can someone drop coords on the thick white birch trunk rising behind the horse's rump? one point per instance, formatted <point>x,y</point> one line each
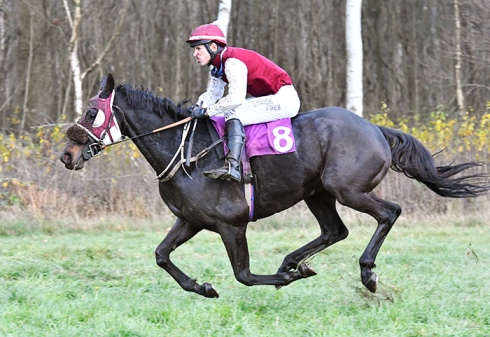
<point>353,39</point>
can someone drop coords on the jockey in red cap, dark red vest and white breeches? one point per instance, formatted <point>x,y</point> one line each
<point>270,89</point>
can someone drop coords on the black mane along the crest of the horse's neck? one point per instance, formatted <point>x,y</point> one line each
<point>145,98</point>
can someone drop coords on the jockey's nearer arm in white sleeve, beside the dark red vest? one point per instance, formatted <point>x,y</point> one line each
<point>236,73</point>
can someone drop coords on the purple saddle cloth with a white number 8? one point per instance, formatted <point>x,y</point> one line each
<point>274,137</point>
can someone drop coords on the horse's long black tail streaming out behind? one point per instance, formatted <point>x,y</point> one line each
<point>411,158</point>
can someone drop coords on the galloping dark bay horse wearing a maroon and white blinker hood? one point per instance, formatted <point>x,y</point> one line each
<point>340,157</point>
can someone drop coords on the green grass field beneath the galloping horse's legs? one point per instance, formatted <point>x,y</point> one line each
<point>434,281</point>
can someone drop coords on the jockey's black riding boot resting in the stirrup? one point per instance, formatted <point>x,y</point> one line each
<point>235,141</point>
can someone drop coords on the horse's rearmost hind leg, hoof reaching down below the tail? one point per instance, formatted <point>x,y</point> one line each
<point>385,213</point>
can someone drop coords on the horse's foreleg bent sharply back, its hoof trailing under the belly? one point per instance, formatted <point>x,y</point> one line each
<point>235,241</point>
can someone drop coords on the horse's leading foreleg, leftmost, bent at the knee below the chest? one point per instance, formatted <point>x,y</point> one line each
<point>181,232</point>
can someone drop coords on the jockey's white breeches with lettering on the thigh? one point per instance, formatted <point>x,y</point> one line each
<point>284,104</point>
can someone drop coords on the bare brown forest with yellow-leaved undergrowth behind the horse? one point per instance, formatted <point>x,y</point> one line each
<point>410,50</point>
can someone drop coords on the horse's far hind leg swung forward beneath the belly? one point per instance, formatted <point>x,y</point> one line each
<point>322,205</point>
